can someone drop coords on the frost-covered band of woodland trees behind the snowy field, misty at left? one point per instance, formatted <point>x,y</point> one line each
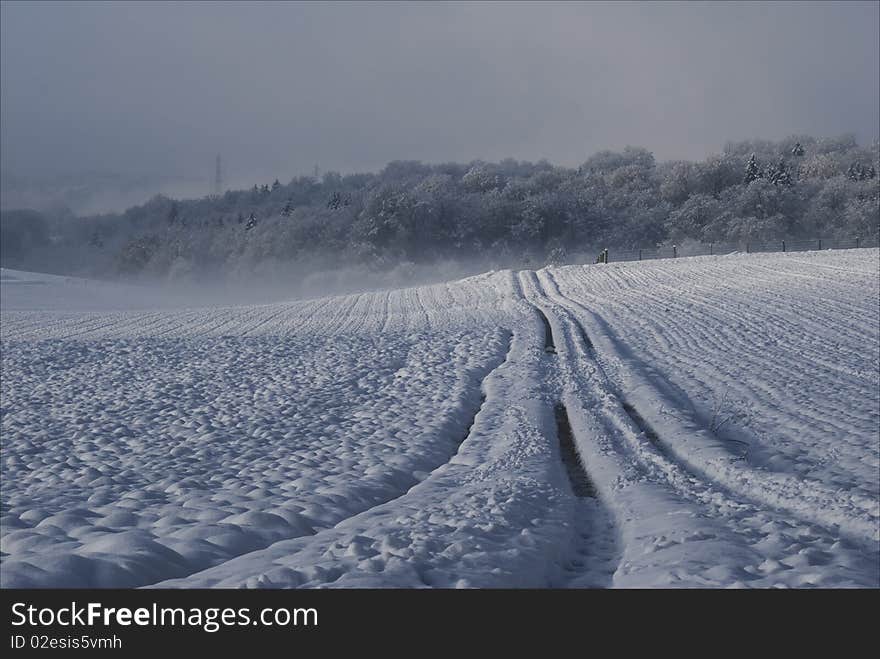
<point>501,213</point>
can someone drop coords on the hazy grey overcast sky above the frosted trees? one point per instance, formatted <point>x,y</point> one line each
<point>161,88</point>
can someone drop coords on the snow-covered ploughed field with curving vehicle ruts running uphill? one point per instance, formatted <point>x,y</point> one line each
<point>725,411</point>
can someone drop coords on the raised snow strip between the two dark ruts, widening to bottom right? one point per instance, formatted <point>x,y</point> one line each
<point>759,544</point>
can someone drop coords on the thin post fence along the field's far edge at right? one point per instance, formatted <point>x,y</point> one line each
<point>709,249</point>
